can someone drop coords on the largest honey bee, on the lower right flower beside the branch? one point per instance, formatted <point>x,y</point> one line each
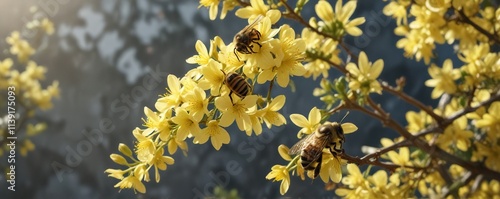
<point>328,135</point>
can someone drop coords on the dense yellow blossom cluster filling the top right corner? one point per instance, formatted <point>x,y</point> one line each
<point>426,23</point>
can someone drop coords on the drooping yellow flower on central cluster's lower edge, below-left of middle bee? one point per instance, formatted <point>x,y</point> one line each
<point>217,135</point>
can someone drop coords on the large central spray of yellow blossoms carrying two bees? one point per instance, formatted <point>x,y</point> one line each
<point>203,103</point>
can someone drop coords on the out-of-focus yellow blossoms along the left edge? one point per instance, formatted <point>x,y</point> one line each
<point>23,77</point>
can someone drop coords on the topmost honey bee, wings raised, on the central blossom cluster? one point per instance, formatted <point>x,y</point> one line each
<point>246,37</point>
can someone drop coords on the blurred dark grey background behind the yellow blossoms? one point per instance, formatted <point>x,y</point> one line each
<point>111,58</point>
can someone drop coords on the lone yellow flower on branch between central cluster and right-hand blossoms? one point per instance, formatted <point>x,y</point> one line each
<point>364,78</point>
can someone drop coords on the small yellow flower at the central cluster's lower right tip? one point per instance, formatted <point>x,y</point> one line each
<point>270,113</point>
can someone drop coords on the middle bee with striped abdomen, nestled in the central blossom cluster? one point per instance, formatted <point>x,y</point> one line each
<point>237,84</point>
